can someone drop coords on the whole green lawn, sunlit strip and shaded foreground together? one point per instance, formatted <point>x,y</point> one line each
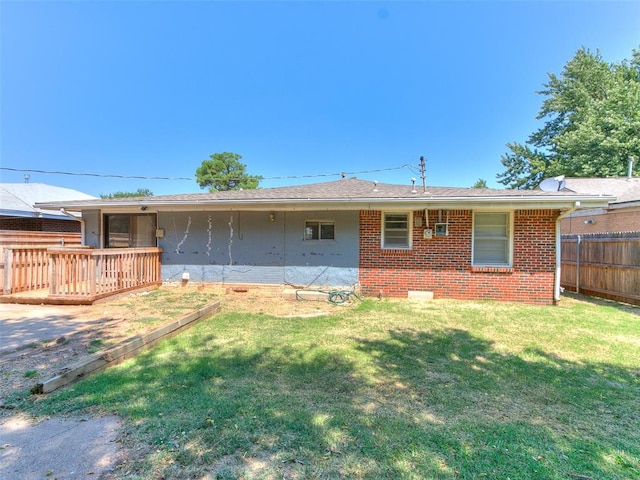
<point>438,390</point>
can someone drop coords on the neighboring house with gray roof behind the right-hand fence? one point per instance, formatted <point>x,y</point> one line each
<point>621,215</point>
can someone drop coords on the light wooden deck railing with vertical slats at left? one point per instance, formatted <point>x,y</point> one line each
<point>80,273</point>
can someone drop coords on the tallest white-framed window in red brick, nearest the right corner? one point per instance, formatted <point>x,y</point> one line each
<point>492,239</point>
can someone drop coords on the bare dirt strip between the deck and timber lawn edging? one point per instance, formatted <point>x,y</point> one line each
<point>132,315</point>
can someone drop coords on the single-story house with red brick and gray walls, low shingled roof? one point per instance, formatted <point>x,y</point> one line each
<point>393,240</point>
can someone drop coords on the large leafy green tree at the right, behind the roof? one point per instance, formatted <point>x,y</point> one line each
<point>592,124</point>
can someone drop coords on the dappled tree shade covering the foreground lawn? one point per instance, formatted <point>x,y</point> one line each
<point>414,404</point>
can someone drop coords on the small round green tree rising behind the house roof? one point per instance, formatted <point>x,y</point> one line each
<point>224,171</point>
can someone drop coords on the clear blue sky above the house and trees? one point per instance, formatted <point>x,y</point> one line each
<point>301,90</point>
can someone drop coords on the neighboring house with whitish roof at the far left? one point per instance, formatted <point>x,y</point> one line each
<point>17,210</point>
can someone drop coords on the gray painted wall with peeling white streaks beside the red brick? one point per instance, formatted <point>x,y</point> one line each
<point>246,247</point>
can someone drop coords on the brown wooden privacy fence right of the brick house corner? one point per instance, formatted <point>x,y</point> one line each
<point>604,265</point>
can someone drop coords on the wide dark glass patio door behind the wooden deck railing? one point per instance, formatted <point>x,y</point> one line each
<point>126,231</point>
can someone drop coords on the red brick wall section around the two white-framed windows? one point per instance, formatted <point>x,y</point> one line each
<point>442,265</point>
